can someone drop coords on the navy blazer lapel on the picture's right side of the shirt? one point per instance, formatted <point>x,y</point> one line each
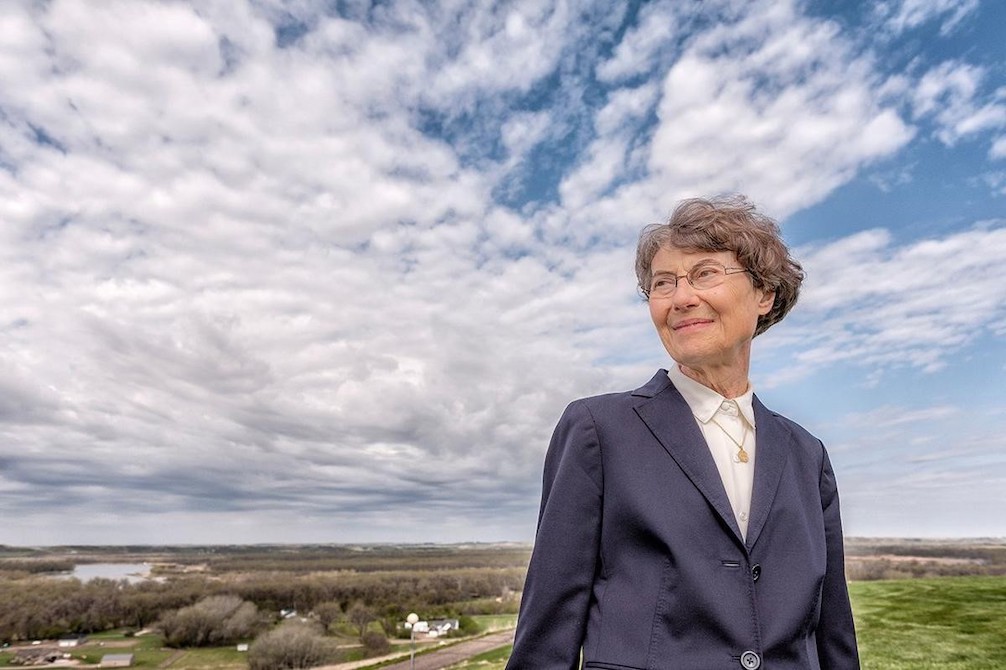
<point>771,453</point>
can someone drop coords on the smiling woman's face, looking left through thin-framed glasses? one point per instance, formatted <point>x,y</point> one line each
<point>713,328</point>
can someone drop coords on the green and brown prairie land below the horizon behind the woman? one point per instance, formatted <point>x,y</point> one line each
<point>919,603</point>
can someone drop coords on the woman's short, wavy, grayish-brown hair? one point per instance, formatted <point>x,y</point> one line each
<point>728,224</point>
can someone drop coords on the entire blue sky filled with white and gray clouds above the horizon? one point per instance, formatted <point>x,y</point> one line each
<point>329,272</point>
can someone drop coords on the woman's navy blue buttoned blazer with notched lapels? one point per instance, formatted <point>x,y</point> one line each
<point>638,562</point>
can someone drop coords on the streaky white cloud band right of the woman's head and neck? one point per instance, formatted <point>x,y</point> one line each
<point>872,304</point>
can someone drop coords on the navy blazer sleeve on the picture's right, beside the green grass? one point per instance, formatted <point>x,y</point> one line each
<point>836,634</point>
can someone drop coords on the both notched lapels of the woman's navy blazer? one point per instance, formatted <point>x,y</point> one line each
<point>670,421</point>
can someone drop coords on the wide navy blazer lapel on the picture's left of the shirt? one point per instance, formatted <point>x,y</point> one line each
<point>670,420</point>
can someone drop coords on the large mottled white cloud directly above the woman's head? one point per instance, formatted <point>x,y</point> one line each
<point>774,104</point>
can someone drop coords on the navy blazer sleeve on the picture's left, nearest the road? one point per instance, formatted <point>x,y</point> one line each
<point>561,576</point>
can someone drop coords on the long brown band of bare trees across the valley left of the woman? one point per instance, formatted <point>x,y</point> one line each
<point>38,608</point>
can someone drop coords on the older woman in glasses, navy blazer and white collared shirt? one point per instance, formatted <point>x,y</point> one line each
<point>684,526</point>
